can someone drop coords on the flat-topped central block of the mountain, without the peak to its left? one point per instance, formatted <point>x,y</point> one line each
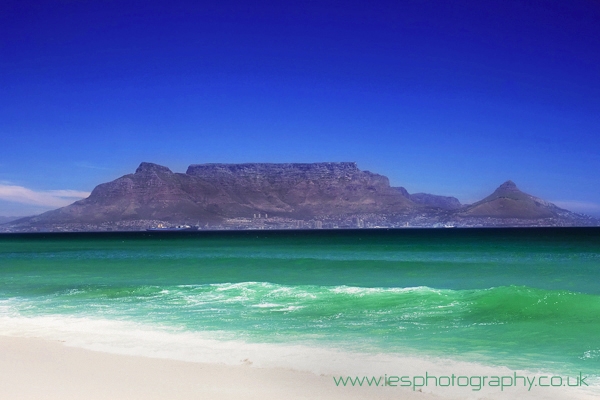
<point>300,190</point>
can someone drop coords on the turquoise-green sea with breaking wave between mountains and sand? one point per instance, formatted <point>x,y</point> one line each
<point>520,298</point>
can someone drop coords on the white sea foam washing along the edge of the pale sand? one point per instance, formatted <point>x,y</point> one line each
<point>129,338</point>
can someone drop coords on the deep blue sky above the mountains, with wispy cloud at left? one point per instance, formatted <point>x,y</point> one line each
<point>443,97</point>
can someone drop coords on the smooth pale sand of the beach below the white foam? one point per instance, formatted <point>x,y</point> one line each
<point>40,368</point>
